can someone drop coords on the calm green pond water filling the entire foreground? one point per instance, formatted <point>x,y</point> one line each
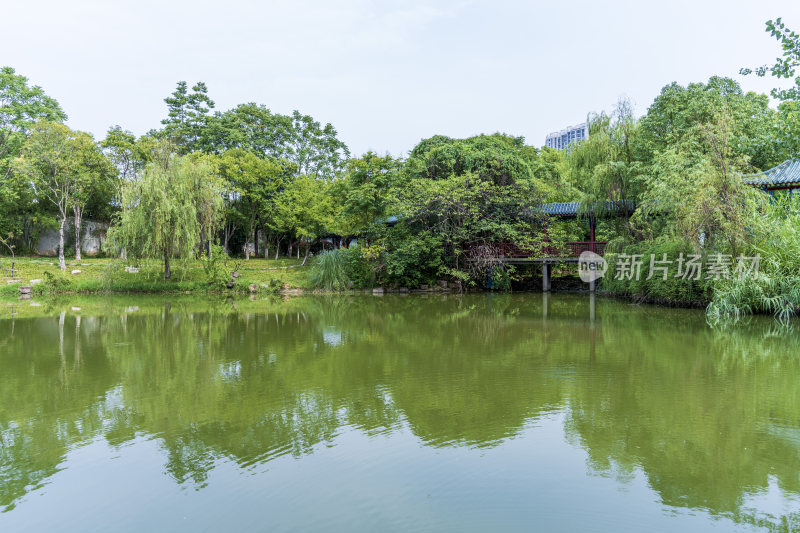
<point>475,413</point>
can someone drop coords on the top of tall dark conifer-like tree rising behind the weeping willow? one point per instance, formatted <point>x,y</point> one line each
<point>187,116</point>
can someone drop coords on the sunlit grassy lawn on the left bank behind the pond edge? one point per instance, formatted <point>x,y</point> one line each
<point>107,275</point>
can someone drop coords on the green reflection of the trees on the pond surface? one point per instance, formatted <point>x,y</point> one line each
<point>710,416</point>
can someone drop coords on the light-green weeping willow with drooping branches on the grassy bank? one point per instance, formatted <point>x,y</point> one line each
<point>166,213</point>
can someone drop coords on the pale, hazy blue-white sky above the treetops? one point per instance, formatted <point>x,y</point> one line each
<point>385,74</point>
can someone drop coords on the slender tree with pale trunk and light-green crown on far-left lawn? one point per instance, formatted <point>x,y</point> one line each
<point>59,163</point>
